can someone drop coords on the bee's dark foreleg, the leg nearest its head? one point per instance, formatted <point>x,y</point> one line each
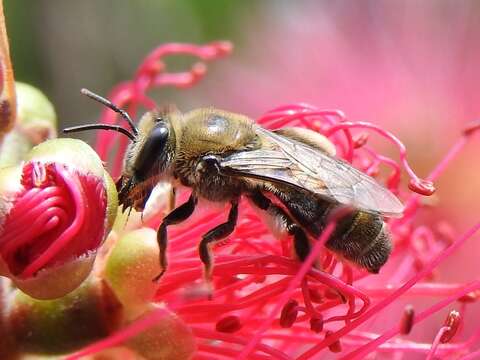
<point>176,216</point>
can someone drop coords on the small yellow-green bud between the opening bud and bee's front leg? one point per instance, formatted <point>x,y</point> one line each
<point>131,266</point>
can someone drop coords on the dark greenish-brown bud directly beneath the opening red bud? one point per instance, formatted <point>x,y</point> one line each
<point>89,313</point>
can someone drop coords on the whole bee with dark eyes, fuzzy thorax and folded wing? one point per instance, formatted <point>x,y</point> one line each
<point>290,173</point>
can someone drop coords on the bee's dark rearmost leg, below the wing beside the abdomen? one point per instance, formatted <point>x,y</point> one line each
<point>301,243</point>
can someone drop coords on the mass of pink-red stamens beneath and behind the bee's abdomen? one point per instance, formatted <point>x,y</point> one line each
<point>266,303</point>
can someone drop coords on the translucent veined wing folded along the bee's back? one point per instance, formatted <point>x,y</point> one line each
<point>291,162</point>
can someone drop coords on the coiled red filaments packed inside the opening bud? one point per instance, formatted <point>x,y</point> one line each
<point>63,228</point>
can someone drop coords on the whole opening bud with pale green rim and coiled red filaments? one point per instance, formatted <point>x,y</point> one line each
<point>56,209</point>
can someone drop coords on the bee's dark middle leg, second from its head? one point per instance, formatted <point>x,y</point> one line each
<point>217,233</point>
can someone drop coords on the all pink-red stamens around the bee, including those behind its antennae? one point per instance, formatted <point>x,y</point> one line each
<point>253,281</point>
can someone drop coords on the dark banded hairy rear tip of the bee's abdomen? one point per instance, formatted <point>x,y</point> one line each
<point>363,239</point>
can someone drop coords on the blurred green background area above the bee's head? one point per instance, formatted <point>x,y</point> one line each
<point>62,46</point>
